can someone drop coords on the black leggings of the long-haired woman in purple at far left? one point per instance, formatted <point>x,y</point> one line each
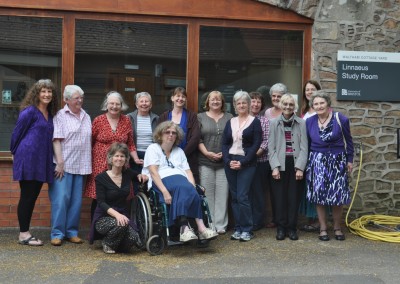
<point>30,190</point>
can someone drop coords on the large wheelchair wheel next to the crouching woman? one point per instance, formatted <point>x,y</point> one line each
<point>141,212</point>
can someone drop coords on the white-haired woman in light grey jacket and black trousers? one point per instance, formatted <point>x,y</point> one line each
<point>287,148</point>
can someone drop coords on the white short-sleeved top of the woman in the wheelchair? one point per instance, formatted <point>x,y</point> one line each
<point>155,156</point>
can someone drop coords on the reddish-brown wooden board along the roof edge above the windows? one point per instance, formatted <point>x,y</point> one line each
<point>217,9</point>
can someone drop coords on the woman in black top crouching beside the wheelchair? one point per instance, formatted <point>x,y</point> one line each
<point>110,221</point>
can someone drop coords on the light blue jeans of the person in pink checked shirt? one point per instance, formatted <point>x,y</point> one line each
<point>66,200</point>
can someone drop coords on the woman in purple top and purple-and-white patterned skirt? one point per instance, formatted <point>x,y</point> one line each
<point>330,161</point>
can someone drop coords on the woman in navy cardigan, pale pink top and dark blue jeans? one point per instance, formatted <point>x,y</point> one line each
<point>240,143</point>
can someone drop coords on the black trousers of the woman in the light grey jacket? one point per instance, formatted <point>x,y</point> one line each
<point>287,192</point>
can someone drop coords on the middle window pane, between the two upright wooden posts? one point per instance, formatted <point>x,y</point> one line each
<point>129,58</point>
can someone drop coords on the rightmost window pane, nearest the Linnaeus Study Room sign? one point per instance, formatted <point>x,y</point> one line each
<point>234,59</point>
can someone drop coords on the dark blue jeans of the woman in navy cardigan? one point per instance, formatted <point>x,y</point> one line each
<point>239,187</point>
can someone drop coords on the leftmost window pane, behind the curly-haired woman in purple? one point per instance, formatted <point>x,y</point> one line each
<point>30,49</point>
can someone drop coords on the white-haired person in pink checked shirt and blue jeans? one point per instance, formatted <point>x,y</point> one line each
<point>72,156</point>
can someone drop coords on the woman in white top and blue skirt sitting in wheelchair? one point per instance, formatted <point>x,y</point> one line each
<point>170,175</point>
